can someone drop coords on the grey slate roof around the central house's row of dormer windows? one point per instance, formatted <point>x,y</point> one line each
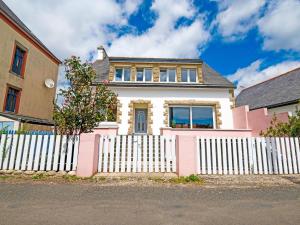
<point>211,77</point>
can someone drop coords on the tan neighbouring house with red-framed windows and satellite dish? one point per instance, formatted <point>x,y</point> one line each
<point>28,74</point>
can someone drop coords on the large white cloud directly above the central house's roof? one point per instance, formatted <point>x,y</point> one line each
<point>164,39</point>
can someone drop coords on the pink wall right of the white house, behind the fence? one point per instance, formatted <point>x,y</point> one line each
<point>257,120</point>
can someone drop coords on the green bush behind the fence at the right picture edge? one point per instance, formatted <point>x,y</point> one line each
<point>281,129</point>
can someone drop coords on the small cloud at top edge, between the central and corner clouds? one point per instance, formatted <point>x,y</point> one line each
<point>237,17</point>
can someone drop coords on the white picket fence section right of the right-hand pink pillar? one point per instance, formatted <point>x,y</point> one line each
<point>248,155</point>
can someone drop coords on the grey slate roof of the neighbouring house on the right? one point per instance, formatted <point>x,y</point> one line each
<point>281,90</point>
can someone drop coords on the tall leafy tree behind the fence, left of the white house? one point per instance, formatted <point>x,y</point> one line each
<point>85,103</point>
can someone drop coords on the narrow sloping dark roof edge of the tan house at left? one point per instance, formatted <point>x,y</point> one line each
<point>13,17</point>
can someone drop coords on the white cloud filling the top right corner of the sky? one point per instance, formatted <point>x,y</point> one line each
<point>280,26</point>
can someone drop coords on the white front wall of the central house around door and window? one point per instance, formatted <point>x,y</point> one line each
<point>158,95</point>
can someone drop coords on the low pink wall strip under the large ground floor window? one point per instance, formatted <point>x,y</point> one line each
<point>207,132</point>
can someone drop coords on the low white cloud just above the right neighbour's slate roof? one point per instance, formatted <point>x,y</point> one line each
<point>253,73</point>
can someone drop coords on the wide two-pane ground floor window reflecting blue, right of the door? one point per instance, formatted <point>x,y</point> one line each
<point>191,117</point>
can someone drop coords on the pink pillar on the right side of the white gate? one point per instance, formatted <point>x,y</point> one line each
<point>186,153</point>
